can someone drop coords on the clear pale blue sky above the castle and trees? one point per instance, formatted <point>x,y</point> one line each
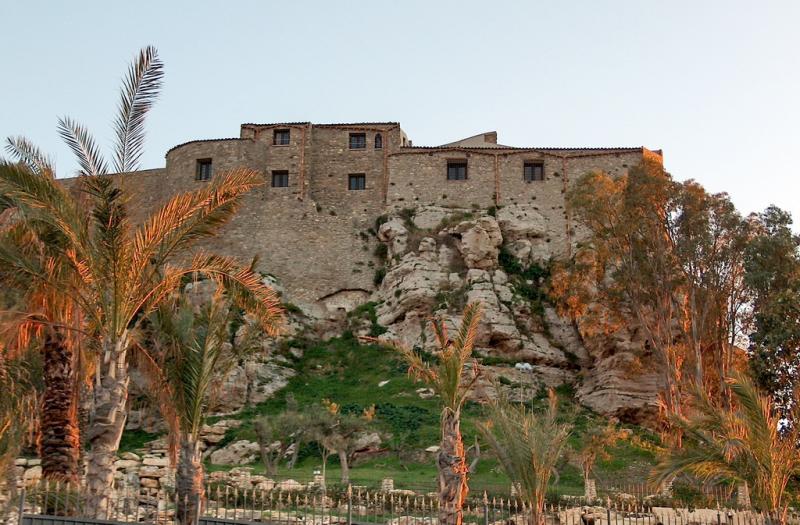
<point>715,84</point>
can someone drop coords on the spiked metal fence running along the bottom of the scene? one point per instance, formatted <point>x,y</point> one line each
<point>60,504</point>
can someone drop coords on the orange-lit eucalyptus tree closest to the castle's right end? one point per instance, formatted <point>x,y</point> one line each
<point>625,274</point>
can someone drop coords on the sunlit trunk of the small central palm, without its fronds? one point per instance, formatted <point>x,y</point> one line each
<point>452,466</point>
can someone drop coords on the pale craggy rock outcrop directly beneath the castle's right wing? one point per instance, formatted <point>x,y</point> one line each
<point>440,259</point>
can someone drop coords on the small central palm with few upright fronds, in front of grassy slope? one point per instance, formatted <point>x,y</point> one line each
<point>448,380</point>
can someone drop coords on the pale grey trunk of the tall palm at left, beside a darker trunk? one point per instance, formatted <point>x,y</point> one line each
<point>111,396</point>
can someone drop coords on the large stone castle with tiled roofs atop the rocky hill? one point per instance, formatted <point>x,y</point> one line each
<point>325,185</point>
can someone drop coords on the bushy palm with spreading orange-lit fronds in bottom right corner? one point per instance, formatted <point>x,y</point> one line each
<point>747,442</point>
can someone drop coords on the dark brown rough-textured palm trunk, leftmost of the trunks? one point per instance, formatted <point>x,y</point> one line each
<point>60,441</point>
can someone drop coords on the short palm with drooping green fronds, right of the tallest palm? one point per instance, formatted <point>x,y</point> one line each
<point>194,347</point>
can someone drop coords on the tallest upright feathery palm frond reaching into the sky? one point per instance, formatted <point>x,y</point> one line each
<point>140,89</point>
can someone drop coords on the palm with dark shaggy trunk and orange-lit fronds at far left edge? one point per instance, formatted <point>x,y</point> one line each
<point>45,318</point>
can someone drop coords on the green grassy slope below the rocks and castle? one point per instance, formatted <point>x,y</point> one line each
<point>348,373</point>
